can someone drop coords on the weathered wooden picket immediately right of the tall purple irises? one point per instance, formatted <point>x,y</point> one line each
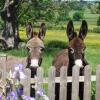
<point>26,82</point>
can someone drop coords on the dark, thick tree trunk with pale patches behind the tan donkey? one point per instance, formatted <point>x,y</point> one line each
<point>9,15</point>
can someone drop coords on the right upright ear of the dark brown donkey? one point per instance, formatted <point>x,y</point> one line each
<point>83,30</point>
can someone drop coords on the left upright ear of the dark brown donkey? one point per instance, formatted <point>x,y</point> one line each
<point>70,30</point>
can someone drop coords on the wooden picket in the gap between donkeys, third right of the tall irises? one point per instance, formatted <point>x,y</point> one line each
<point>51,83</point>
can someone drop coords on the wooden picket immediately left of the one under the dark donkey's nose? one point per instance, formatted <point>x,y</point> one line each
<point>63,83</point>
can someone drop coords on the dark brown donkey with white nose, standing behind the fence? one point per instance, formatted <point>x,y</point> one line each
<point>74,55</point>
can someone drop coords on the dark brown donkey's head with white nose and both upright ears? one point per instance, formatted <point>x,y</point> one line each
<point>76,46</point>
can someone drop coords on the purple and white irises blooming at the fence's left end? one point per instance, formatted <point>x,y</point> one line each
<point>14,90</point>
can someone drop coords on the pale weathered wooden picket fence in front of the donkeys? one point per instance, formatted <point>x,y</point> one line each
<point>39,80</point>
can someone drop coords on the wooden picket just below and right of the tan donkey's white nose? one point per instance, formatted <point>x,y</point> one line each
<point>39,81</point>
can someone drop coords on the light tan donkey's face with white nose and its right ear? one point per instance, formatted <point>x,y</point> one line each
<point>35,47</point>
